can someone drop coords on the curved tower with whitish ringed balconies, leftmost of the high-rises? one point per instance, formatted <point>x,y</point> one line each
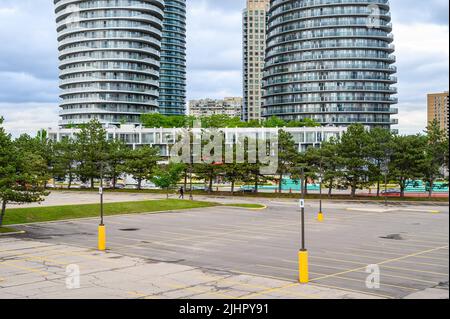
<point>109,53</point>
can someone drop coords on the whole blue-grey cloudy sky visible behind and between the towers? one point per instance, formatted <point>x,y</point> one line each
<point>29,74</point>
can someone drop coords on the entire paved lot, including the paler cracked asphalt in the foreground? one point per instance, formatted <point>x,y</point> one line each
<point>226,252</point>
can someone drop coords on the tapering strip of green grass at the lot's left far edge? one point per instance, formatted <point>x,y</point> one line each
<point>56,213</point>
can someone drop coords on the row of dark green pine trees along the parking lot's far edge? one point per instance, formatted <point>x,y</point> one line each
<point>360,158</point>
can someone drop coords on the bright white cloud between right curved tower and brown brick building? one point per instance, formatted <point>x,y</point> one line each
<point>422,60</point>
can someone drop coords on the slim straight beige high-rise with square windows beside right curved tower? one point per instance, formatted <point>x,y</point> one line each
<point>254,47</point>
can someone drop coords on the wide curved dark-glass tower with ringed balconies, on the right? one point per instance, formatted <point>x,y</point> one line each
<point>330,60</point>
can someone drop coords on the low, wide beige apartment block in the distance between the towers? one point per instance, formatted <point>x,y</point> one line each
<point>230,106</point>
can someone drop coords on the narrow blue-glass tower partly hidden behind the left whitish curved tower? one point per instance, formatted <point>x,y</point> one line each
<point>172,100</point>
